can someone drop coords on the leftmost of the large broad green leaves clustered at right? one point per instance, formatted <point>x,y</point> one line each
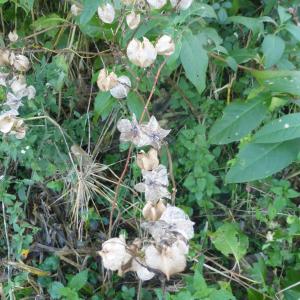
<point>238,120</point>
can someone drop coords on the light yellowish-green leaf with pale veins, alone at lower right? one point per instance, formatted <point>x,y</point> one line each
<point>230,240</point>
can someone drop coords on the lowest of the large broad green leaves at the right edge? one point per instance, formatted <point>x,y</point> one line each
<point>257,161</point>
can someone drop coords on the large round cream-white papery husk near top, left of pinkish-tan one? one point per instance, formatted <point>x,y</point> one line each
<point>142,54</point>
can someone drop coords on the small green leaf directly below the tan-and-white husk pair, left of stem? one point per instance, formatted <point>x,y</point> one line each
<point>104,104</point>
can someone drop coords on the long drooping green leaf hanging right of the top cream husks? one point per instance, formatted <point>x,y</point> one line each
<point>194,61</point>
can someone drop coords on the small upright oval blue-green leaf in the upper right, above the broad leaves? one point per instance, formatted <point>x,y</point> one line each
<point>273,47</point>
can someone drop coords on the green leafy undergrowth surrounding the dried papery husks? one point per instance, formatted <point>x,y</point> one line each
<point>230,94</point>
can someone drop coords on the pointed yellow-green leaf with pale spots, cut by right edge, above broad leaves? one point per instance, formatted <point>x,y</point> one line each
<point>279,81</point>
